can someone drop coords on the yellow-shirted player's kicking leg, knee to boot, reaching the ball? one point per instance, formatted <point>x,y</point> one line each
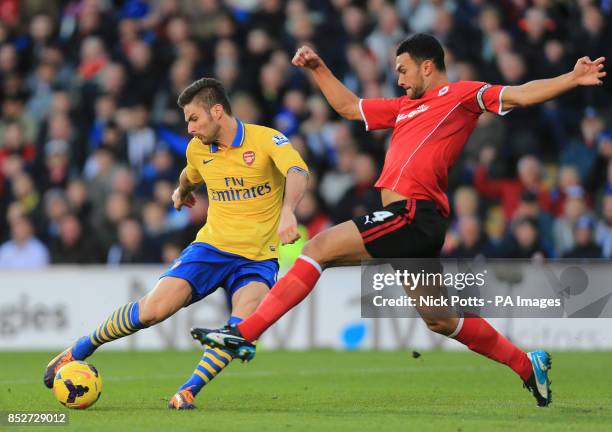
<point>169,295</point>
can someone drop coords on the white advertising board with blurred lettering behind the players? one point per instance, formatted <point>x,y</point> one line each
<point>48,309</point>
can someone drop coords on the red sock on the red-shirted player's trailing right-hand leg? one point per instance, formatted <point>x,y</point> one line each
<point>479,336</point>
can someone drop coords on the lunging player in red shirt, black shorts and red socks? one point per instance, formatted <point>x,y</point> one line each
<point>431,124</point>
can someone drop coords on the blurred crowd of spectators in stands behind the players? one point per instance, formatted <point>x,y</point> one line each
<point>92,141</point>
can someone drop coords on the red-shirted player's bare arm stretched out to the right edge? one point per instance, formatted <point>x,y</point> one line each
<point>587,72</point>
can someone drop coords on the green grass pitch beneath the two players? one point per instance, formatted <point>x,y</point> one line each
<point>324,391</point>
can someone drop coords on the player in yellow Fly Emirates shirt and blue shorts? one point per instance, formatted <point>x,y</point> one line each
<point>254,179</point>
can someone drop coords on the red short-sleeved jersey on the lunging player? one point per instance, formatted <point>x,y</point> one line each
<point>428,135</point>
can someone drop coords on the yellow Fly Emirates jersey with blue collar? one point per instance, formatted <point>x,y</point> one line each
<point>246,185</point>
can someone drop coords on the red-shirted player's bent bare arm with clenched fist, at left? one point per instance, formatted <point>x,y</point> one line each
<point>342,100</point>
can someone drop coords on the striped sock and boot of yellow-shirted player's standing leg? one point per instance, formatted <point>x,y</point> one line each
<point>213,361</point>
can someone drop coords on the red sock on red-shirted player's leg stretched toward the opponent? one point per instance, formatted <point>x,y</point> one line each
<point>284,295</point>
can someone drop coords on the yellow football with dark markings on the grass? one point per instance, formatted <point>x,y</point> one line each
<point>77,385</point>
